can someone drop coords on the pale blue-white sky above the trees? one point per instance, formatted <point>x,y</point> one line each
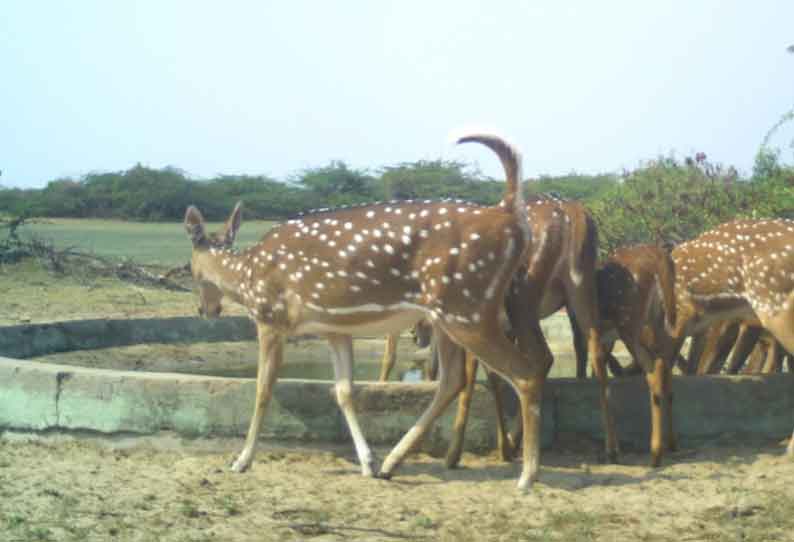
<point>275,87</point>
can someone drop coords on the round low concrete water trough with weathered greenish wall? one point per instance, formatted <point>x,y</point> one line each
<point>37,396</point>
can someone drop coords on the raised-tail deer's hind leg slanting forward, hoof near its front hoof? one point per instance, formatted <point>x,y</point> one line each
<point>451,381</point>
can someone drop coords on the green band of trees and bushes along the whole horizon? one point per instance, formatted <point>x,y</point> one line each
<point>662,200</point>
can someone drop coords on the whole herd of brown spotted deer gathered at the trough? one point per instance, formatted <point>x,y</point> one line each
<point>480,279</point>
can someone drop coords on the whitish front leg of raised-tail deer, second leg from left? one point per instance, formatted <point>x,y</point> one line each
<point>342,349</point>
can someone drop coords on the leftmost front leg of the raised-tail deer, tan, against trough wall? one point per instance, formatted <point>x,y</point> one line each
<point>271,348</point>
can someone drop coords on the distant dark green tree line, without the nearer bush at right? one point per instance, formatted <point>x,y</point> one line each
<point>147,194</point>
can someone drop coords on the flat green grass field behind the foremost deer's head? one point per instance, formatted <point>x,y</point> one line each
<point>151,243</point>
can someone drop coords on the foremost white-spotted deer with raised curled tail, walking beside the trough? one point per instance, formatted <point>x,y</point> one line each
<point>378,269</point>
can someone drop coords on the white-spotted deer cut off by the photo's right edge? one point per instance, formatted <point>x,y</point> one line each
<point>740,270</point>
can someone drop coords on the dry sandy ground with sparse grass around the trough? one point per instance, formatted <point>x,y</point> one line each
<point>83,487</point>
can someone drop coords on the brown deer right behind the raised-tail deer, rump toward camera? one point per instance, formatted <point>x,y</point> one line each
<point>559,272</point>
